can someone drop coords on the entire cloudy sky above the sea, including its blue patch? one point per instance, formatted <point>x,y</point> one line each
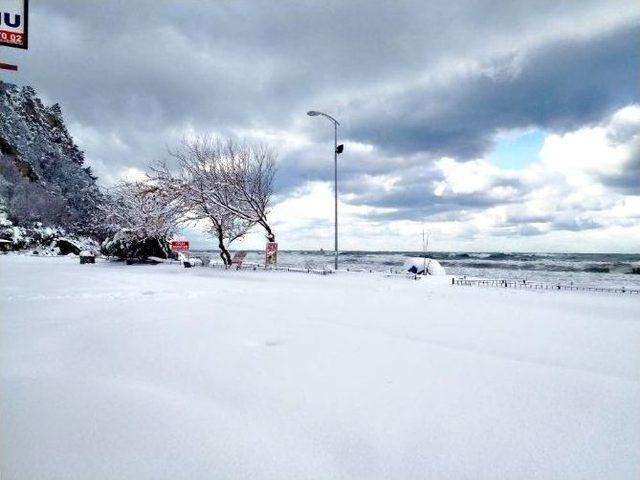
<point>494,125</point>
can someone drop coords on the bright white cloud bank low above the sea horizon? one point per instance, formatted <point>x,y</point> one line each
<point>559,203</point>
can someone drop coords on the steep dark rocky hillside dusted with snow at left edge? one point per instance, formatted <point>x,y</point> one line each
<point>42,174</point>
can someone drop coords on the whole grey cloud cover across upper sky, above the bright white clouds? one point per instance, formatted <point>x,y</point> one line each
<point>134,76</point>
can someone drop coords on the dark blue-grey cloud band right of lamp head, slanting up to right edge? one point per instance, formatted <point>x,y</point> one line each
<point>561,86</point>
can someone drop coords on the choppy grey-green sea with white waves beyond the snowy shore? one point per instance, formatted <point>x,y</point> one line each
<point>595,269</point>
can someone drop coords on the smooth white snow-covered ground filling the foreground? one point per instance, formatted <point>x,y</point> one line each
<point>159,372</point>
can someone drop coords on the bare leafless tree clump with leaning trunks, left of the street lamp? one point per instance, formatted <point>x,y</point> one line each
<point>226,183</point>
